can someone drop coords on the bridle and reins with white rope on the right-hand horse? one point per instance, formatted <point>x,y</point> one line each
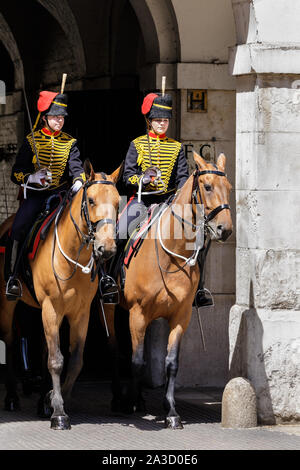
<point>197,200</point>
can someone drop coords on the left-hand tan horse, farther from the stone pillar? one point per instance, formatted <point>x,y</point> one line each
<point>82,236</point>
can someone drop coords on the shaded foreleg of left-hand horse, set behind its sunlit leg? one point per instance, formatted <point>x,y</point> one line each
<point>78,332</point>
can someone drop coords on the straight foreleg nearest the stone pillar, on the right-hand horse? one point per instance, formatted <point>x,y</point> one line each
<point>173,420</point>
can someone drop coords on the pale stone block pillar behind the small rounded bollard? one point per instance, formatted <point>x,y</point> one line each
<point>264,327</point>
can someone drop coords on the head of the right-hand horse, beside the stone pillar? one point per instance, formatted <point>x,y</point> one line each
<point>214,194</point>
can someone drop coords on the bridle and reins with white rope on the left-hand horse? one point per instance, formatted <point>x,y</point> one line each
<point>86,239</point>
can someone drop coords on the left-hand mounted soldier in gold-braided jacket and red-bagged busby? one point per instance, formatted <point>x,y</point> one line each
<point>56,166</point>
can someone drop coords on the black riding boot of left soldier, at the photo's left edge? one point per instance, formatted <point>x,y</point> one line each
<point>13,285</point>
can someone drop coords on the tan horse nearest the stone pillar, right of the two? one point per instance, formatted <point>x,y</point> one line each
<point>162,278</point>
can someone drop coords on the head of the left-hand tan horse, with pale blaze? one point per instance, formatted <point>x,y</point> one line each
<point>101,201</point>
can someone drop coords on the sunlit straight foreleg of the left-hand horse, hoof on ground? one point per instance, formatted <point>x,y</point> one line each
<point>51,322</point>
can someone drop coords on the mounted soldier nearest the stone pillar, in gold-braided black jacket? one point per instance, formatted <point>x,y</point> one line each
<point>155,164</point>
